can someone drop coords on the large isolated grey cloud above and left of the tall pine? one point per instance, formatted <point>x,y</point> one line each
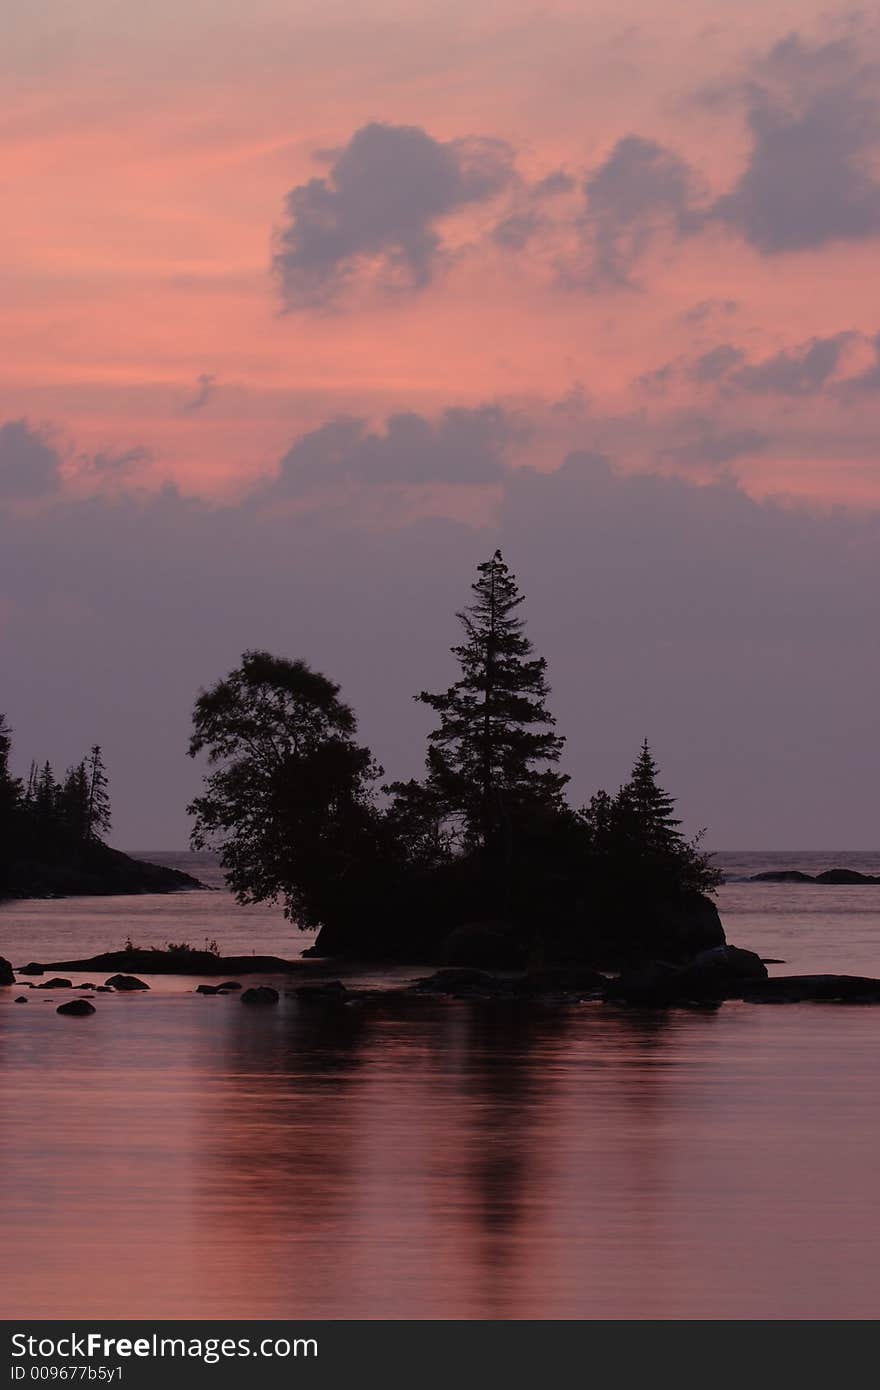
<point>379,208</point>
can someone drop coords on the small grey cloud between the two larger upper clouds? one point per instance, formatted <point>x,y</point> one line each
<point>640,191</point>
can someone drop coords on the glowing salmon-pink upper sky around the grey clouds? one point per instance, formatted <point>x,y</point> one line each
<point>149,158</point>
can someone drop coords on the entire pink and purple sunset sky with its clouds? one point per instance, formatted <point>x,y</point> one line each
<point>308,308</point>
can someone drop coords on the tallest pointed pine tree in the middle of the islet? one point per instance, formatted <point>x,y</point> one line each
<point>487,761</point>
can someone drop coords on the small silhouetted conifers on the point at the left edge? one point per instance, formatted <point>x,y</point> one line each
<point>44,817</point>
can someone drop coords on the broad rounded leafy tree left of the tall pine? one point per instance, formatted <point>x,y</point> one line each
<point>290,800</point>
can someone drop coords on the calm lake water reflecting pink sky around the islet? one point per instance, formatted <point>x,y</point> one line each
<point>187,1157</point>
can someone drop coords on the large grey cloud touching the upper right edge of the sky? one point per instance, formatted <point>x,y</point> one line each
<point>814,117</point>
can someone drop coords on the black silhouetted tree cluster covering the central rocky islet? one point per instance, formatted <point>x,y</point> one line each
<point>300,811</point>
